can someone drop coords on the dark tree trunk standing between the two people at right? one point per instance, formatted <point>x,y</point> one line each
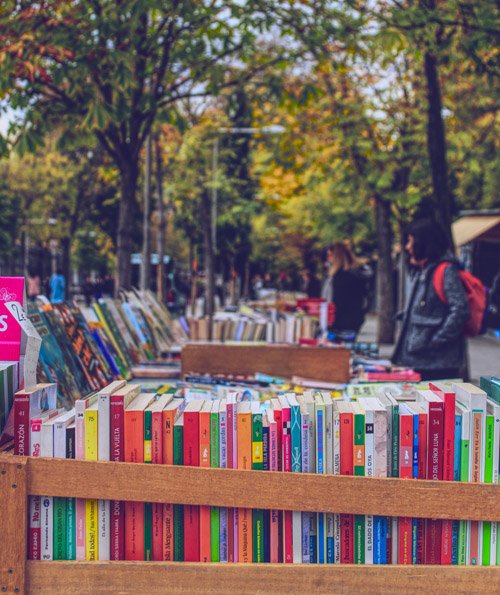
<point>385,278</point>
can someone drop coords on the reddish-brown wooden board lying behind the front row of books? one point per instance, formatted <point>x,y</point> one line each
<point>321,363</point>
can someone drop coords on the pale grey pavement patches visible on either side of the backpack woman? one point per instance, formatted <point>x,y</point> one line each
<point>484,351</point>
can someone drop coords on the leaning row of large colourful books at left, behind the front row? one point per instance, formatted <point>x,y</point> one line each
<point>84,353</point>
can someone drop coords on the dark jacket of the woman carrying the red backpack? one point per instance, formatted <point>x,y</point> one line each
<point>432,335</point>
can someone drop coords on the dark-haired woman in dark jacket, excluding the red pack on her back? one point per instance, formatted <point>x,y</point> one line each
<point>432,338</point>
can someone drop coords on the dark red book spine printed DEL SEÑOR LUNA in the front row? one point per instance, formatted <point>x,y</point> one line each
<point>435,423</point>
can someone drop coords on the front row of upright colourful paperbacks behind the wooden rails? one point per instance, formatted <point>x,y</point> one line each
<point>447,432</point>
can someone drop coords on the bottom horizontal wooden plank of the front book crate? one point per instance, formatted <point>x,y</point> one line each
<point>184,577</point>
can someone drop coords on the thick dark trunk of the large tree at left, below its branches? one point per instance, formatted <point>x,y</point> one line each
<point>129,173</point>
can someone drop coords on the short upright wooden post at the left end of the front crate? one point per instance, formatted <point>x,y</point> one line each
<point>13,547</point>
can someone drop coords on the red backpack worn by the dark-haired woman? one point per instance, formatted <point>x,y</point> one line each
<point>477,296</point>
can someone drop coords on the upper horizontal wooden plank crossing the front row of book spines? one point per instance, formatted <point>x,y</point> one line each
<point>259,489</point>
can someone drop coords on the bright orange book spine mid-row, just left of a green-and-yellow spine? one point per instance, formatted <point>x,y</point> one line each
<point>245,542</point>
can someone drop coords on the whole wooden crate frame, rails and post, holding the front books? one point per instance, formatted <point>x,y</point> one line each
<point>21,477</point>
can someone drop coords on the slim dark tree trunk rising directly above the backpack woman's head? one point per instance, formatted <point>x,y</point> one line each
<point>436,145</point>
